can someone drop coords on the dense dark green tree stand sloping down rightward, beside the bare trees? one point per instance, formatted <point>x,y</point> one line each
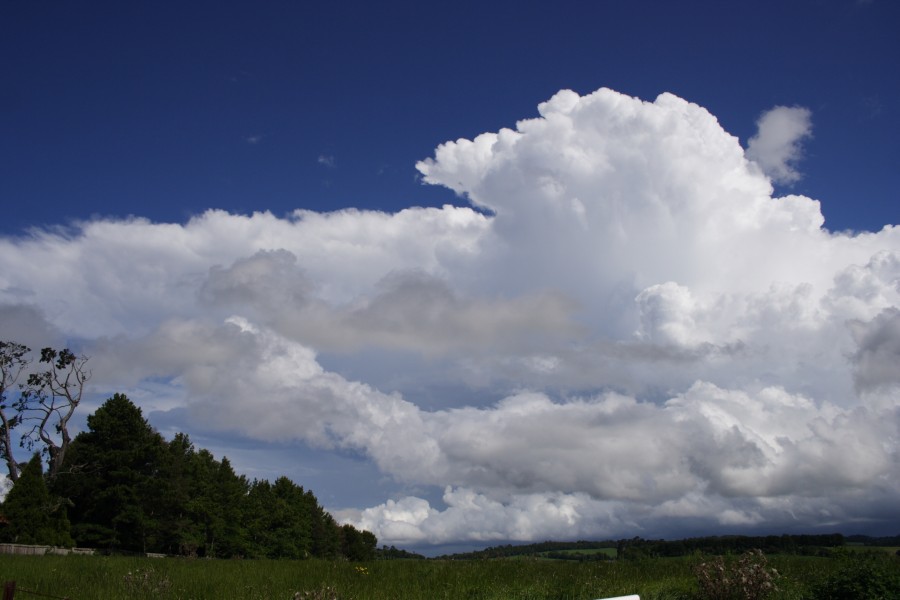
<point>131,491</point>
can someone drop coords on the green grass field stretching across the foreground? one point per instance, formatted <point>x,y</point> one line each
<point>121,578</point>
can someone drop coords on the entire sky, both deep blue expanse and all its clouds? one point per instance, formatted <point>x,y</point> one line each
<point>480,272</point>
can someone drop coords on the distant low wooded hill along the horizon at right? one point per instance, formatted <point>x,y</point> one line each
<point>640,548</point>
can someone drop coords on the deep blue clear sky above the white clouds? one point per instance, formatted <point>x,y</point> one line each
<point>166,110</point>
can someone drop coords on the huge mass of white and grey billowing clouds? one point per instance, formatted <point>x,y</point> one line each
<point>633,335</point>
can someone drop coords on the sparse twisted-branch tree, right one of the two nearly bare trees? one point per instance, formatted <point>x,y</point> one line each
<point>49,401</point>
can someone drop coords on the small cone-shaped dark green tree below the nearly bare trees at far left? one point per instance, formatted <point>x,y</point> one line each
<point>32,515</point>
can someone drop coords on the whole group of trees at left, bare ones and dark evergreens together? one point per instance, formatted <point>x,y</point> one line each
<point>119,486</point>
